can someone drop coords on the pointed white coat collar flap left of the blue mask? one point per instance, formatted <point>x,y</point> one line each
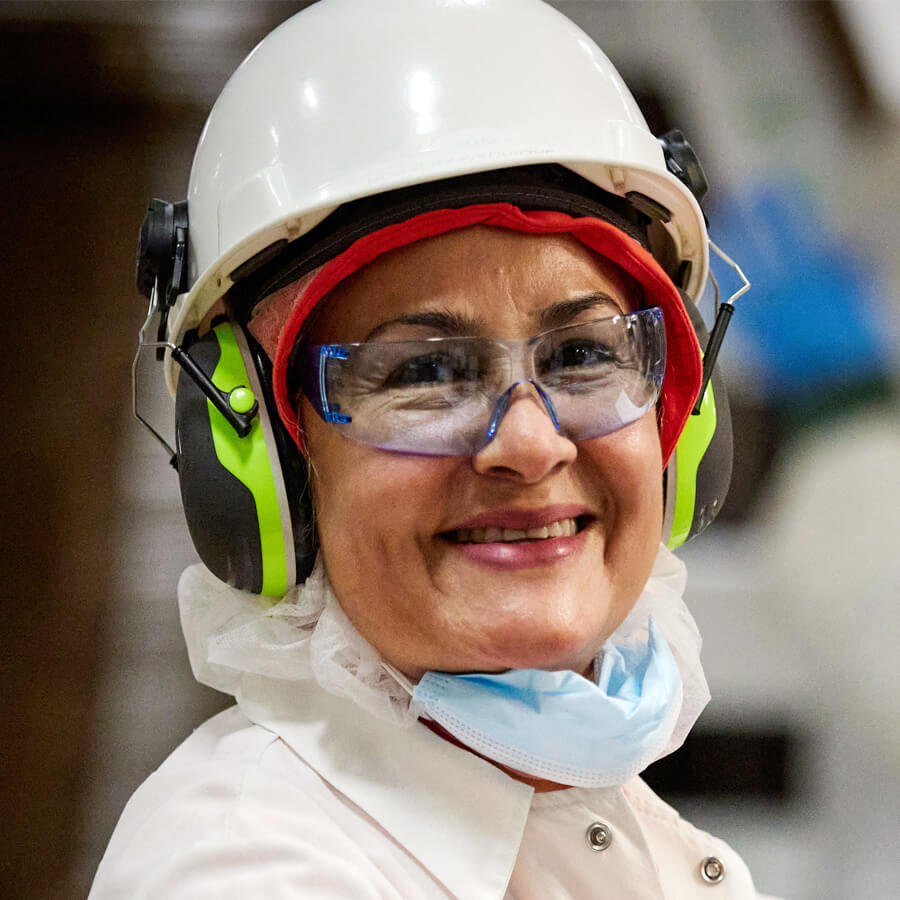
<point>460,816</point>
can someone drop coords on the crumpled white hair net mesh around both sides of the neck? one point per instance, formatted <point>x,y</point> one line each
<point>307,636</point>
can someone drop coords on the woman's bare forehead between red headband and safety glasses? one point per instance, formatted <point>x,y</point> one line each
<point>476,279</point>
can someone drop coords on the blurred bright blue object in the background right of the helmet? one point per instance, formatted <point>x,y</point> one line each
<point>809,317</point>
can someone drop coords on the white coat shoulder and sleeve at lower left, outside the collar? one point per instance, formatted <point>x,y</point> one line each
<point>235,814</point>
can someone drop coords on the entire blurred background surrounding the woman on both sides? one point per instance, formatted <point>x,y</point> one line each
<point>795,111</point>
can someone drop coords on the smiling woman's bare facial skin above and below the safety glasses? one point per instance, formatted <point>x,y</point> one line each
<point>426,596</point>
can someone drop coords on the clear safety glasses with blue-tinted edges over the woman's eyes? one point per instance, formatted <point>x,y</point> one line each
<point>448,395</point>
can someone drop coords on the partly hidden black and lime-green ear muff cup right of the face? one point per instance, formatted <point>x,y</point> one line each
<point>699,471</point>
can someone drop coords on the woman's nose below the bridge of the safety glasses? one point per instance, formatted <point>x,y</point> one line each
<point>526,445</point>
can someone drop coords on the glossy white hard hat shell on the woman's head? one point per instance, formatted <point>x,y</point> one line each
<point>348,99</point>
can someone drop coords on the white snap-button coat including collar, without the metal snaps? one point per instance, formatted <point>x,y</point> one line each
<point>300,794</point>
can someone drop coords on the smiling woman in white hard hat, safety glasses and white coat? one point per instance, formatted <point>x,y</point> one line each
<point>434,363</point>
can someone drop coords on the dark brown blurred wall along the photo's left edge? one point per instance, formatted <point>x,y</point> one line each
<point>76,158</point>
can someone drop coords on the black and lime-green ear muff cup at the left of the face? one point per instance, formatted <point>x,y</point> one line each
<point>246,500</point>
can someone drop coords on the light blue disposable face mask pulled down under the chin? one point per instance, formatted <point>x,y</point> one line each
<point>559,725</point>
